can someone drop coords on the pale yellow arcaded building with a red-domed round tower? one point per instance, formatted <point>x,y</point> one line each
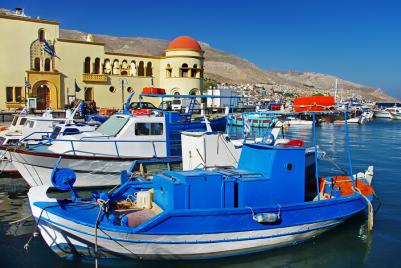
<point>105,77</point>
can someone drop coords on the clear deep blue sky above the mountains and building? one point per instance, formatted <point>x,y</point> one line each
<point>356,40</point>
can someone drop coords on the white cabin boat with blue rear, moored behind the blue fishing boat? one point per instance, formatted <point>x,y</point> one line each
<point>98,157</point>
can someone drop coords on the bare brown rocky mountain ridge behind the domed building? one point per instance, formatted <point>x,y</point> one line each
<point>227,68</point>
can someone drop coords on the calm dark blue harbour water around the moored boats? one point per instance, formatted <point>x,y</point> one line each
<point>350,245</point>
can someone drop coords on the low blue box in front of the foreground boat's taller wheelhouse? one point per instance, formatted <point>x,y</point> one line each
<point>195,189</point>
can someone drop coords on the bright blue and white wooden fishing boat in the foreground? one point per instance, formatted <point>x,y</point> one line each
<point>261,205</point>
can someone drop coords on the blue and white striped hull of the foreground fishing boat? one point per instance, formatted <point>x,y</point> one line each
<point>150,241</point>
